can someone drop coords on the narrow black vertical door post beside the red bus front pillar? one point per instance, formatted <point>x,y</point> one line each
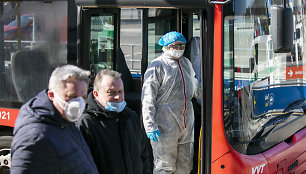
<point>207,42</point>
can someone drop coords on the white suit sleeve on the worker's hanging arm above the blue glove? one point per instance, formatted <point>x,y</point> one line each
<point>152,82</point>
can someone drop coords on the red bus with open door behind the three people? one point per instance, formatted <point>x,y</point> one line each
<point>250,64</point>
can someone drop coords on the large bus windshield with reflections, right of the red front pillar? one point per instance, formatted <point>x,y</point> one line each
<point>264,94</point>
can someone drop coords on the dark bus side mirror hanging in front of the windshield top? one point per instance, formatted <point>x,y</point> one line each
<point>282,29</point>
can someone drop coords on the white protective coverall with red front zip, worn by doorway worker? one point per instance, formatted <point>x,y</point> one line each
<point>168,88</point>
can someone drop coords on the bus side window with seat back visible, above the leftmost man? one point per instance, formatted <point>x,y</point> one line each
<point>29,40</point>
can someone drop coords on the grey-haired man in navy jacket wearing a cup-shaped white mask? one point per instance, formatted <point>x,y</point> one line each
<point>46,139</point>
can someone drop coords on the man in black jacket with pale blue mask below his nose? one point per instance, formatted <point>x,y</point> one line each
<point>112,131</point>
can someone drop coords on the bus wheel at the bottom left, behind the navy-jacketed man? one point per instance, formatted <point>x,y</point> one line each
<point>5,154</point>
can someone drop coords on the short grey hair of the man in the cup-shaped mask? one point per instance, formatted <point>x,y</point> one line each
<point>61,74</point>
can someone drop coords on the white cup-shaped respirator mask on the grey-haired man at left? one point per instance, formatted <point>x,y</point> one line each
<point>73,108</point>
